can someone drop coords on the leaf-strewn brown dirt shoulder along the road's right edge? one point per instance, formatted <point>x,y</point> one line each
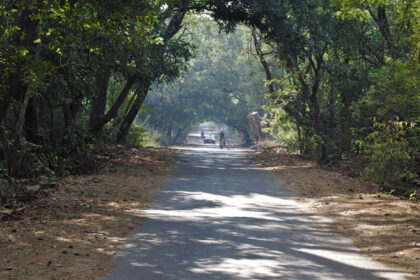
<point>384,227</point>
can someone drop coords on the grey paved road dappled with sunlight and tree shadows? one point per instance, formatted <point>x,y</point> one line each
<point>221,218</point>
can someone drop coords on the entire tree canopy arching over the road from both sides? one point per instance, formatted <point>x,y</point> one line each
<point>343,76</point>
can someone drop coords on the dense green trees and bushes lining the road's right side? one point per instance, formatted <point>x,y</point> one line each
<point>350,84</point>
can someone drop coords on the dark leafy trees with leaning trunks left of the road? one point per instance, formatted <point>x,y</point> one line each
<point>72,69</point>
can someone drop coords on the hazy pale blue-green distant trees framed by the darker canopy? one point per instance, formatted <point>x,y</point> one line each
<point>223,83</point>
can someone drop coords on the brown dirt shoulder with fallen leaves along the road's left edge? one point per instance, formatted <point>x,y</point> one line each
<point>73,230</point>
